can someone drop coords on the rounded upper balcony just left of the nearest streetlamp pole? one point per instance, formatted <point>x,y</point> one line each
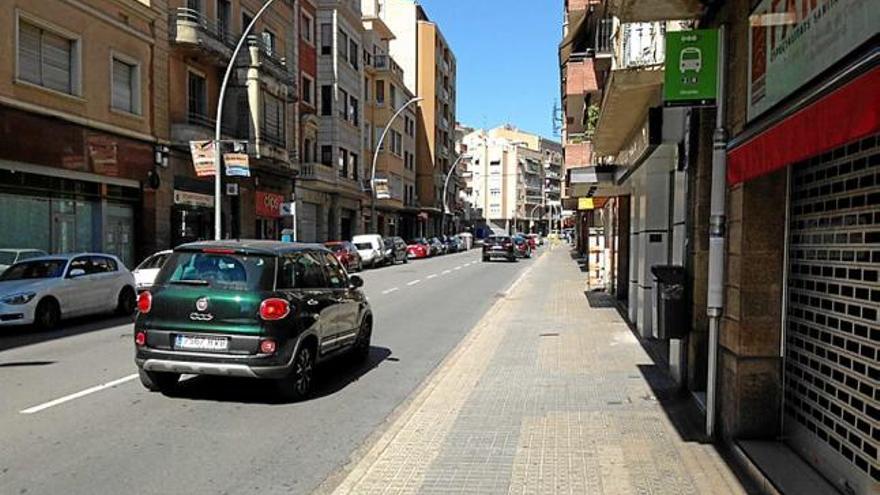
<point>190,30</point>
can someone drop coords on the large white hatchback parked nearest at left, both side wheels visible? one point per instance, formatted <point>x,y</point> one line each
<point>43,291</point>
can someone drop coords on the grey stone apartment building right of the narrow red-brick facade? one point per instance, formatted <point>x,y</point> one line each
<point>333,194</point>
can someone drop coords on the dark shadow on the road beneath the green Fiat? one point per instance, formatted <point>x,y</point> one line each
<point>331,377</point>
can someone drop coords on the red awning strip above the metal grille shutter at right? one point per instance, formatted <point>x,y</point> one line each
<point>847,114</point>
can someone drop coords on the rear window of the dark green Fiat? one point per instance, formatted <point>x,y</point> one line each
<point>239,272</point>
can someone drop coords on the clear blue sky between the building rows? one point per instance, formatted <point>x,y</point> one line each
<point>508,68</point>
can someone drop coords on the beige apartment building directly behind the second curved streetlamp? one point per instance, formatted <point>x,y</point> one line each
<point>384,93</point>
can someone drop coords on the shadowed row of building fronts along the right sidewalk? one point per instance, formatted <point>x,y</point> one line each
<point>782,337</point>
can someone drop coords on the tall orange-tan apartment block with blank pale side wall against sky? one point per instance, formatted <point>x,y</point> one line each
<point>429,68</point>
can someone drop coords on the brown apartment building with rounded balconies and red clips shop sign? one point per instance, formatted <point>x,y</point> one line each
<point>258,109</point>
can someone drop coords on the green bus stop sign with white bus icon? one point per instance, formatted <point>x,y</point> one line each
<point>691,69</point>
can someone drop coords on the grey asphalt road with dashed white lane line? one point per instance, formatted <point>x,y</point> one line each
<point>74,419</point>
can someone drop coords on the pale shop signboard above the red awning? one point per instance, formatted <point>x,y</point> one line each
<point>790,43</point>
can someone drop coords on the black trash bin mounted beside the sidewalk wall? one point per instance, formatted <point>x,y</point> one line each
<point>672,311</point>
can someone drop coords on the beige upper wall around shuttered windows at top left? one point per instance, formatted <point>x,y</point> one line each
<point>103,28</point>
